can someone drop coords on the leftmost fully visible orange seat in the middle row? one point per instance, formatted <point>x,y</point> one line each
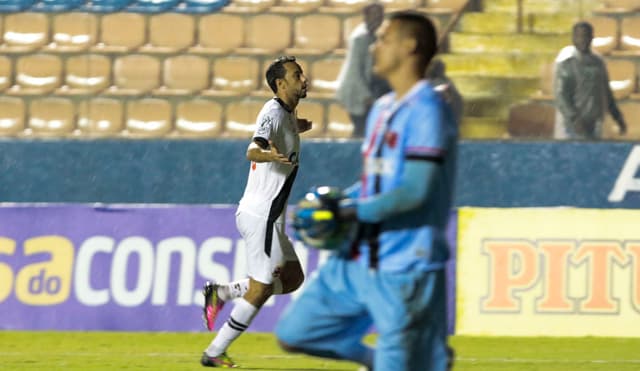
<point>37,74</point>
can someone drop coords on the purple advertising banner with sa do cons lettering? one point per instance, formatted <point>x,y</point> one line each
<point>129,268</point>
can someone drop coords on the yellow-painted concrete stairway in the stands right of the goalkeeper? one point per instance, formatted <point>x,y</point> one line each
<point>495,65</point>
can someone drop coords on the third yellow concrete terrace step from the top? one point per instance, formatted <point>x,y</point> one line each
<point>507,44</point>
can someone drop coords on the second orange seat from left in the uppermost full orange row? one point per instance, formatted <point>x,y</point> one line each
<point>73,32</point>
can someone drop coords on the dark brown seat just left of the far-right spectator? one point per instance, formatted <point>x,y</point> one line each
<point>531,120</point>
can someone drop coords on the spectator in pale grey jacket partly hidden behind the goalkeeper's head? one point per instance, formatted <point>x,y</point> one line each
<point>358,87</point>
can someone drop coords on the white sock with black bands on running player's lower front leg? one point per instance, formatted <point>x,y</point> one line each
<point>239,320</point>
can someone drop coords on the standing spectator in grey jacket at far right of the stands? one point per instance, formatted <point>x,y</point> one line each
<point>581,90</point>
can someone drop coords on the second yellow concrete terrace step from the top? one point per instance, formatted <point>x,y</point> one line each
<point>506,23</point>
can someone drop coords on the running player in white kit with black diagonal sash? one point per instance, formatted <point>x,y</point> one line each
<point>273,266</point>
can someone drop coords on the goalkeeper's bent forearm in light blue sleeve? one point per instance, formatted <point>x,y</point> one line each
<point>415,185</point>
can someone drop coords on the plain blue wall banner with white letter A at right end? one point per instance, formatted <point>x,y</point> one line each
<point>490,173</point>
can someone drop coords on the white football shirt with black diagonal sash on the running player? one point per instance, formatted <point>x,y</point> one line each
<point>269,183</point>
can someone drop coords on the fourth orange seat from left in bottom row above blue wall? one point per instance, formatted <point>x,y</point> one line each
<point>148,118</point>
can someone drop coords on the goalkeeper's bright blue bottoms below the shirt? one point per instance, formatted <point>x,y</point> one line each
<point>339,305</point>
